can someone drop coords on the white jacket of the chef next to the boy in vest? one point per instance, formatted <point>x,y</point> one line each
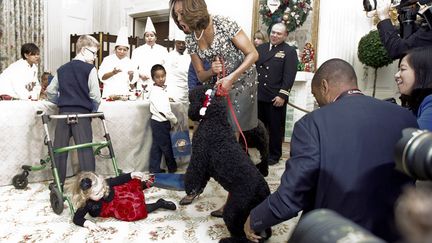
<point>117,84</point>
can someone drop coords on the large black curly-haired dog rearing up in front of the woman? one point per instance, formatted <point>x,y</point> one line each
<point>217,154</point>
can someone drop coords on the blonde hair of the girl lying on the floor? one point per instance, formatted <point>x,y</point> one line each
<point>80,195</point>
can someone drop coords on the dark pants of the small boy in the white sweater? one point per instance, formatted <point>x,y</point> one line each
<point>161,145</point>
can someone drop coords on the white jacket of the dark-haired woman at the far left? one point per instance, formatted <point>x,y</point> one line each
<point>15,77</point>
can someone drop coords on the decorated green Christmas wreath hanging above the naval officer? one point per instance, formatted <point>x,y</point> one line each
<point>292,13</point>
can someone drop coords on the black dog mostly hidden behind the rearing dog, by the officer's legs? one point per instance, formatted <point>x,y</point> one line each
<point>258,138</point>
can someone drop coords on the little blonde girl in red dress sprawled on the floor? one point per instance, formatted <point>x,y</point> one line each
<point>121,197</point>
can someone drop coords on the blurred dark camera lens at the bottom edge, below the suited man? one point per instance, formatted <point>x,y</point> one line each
<point>323,226</point>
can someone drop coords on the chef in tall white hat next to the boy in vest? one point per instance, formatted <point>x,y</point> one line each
<point>116,71</point>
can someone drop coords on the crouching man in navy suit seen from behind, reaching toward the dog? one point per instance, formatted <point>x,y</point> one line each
<point>341,158</point>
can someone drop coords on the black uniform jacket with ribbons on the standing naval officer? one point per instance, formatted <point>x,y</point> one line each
<point>277,69</point>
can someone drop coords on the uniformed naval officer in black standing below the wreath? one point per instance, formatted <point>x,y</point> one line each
<point>277,68</point>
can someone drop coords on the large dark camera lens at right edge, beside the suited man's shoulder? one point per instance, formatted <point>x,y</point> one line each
<point>413,153</point>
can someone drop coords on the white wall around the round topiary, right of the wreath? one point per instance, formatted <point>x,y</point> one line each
<point>341,26</point>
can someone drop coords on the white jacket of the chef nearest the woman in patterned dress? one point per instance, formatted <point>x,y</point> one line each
<point>177,67</point>
